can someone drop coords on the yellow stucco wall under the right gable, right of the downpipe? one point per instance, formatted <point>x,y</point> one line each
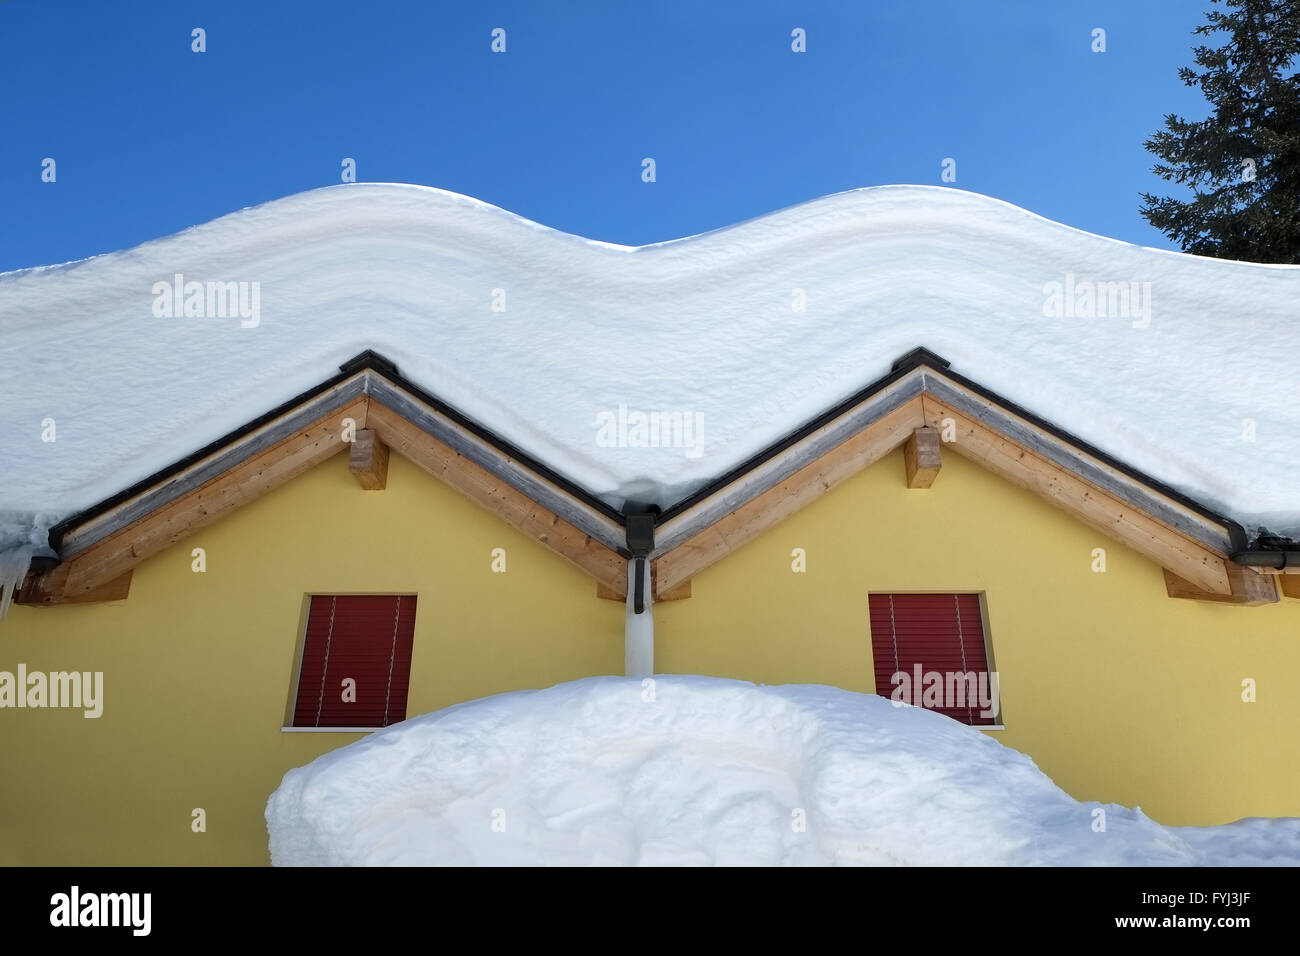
<point>1119,693</point>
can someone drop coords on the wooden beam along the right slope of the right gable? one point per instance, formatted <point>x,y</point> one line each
<point>1086,501</point>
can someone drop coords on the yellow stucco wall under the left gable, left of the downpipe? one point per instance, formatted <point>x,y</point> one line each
<point>198,668</point>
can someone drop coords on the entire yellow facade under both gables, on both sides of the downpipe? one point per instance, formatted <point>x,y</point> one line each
<point>1119,693</point>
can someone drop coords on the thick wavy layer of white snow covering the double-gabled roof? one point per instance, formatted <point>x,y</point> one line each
<point>1189,375</point>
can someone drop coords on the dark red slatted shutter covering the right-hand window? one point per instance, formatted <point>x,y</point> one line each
<point>941,633</point>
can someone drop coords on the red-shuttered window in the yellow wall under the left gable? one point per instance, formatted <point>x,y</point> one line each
<point>357,661</point>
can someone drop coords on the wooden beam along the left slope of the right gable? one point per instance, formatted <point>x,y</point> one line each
<point>782,500</point>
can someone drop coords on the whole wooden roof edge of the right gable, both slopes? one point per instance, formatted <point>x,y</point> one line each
<point>1154,521</point>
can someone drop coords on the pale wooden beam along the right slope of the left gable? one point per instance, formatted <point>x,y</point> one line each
<point>497,496</point>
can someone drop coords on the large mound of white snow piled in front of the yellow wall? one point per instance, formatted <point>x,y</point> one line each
<point>686,771</point>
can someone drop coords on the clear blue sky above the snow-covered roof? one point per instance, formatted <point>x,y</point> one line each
<point>150,137</point>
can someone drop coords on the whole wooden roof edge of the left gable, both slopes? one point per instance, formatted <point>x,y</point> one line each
<point>101,550</point>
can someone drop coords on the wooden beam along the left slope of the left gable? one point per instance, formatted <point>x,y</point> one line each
<point>110,559</point>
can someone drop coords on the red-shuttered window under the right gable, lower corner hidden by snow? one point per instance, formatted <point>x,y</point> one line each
<point>930,651</point>
